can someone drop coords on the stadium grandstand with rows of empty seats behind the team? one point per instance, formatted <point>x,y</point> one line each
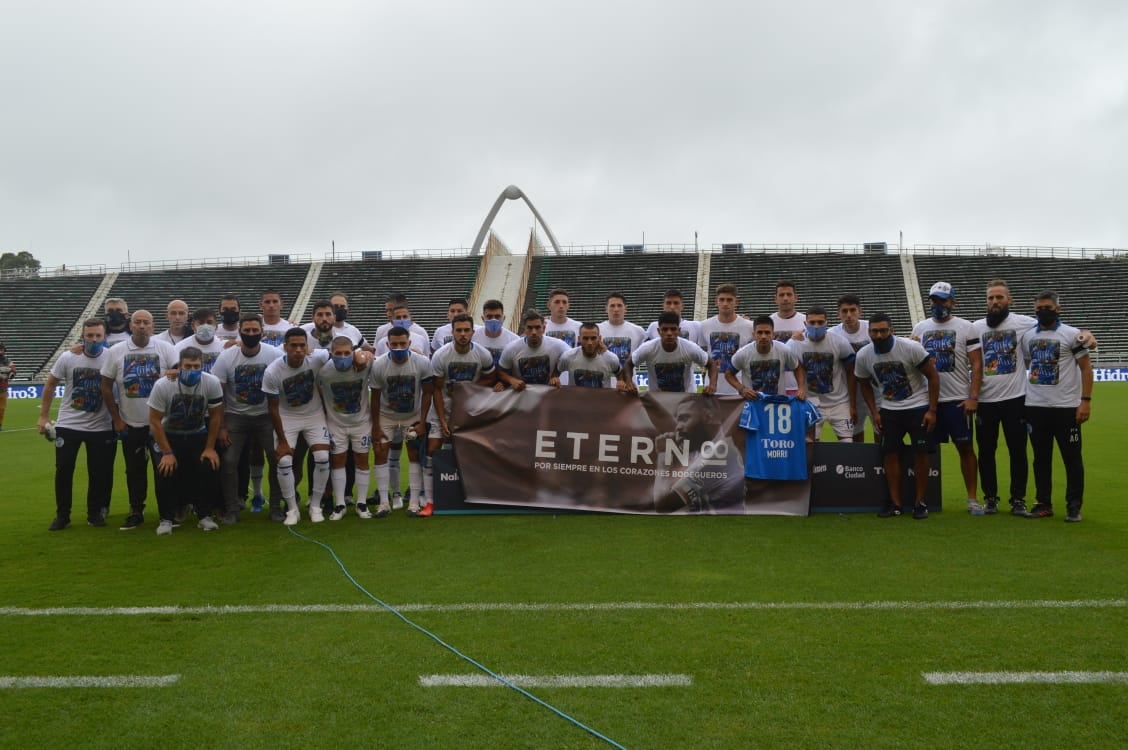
<point>41,315</point>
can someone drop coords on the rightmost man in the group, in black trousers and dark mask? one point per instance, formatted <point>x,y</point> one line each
<point>1060,400</point>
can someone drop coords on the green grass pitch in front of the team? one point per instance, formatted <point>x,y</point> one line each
<point>762,677</point>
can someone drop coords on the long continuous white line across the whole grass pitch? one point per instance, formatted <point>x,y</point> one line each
<point>569,607</point>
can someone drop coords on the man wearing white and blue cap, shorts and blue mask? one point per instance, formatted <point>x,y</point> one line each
<point>955,349</point>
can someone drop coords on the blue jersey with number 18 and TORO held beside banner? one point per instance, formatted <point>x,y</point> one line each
<point>775,437</point>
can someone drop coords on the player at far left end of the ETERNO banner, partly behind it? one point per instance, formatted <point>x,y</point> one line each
<point>460,361</point>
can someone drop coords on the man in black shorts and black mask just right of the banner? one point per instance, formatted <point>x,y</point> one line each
<point>911,393</point>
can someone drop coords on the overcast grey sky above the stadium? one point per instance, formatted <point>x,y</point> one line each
<point>234,128</point>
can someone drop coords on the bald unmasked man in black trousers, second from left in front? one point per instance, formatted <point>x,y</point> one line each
<point>131,369</point>
